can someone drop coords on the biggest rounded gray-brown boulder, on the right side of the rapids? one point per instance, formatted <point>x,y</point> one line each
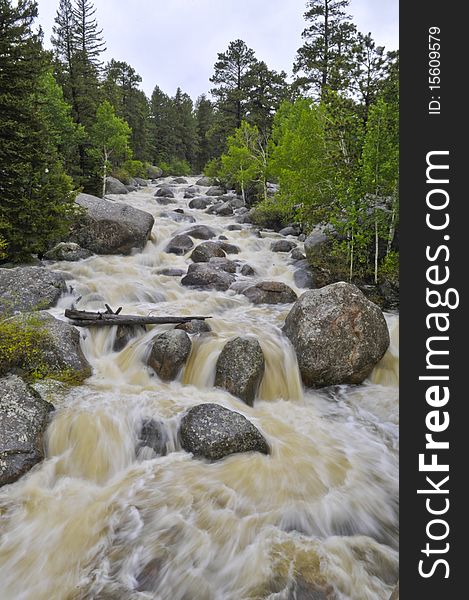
<point>338,335</point>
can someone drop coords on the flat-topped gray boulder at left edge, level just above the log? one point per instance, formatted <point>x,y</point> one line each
<point>29,288</point>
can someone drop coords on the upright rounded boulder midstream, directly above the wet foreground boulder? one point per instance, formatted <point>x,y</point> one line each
<point>240,368</point>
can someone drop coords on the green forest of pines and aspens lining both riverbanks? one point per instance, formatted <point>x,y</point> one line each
<point>329,138</point>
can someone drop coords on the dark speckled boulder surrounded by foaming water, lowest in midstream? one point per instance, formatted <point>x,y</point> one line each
<point>213,432</point>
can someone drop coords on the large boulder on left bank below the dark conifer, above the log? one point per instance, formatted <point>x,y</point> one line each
<point>111,227</point>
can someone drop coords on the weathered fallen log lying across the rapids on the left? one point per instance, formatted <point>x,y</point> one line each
<point>83,318</point>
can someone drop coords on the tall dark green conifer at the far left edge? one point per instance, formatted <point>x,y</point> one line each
<point>37,201</point>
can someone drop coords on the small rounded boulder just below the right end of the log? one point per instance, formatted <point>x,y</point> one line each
<point>169,352</point>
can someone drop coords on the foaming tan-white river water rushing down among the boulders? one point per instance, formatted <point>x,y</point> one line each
<point>96,520</point>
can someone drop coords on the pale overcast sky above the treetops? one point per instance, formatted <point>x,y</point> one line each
<point>175,43</point>
